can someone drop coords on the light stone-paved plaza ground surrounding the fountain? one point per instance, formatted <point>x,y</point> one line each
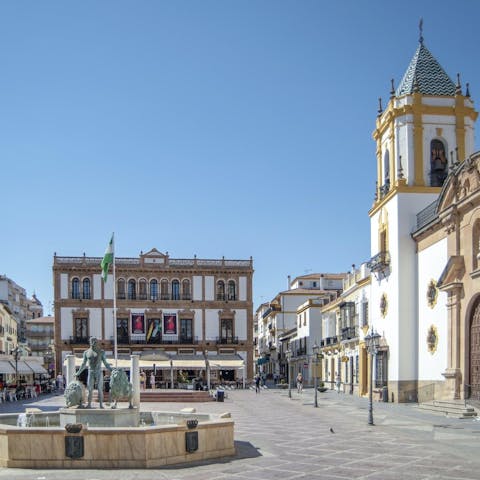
<point>281,438</point>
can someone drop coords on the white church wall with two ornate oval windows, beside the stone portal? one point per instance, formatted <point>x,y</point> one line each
<point>430,265</point>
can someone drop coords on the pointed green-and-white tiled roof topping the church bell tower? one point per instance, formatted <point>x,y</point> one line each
<point>425,75</point>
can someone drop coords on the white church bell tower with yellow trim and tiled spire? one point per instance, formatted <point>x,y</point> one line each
<point>426,128</point>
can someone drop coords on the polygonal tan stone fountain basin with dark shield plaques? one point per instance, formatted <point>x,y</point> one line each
<point>46,444</point>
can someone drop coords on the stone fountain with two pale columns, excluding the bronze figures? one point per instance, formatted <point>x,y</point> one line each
<point>78,437</point>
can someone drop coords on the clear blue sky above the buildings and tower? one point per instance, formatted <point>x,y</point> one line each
<point>214,128</point>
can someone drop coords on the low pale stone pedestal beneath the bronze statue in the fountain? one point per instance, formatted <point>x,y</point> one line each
<point>98,417</point>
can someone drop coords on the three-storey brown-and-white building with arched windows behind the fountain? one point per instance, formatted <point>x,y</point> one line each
<point>183,310</point>
